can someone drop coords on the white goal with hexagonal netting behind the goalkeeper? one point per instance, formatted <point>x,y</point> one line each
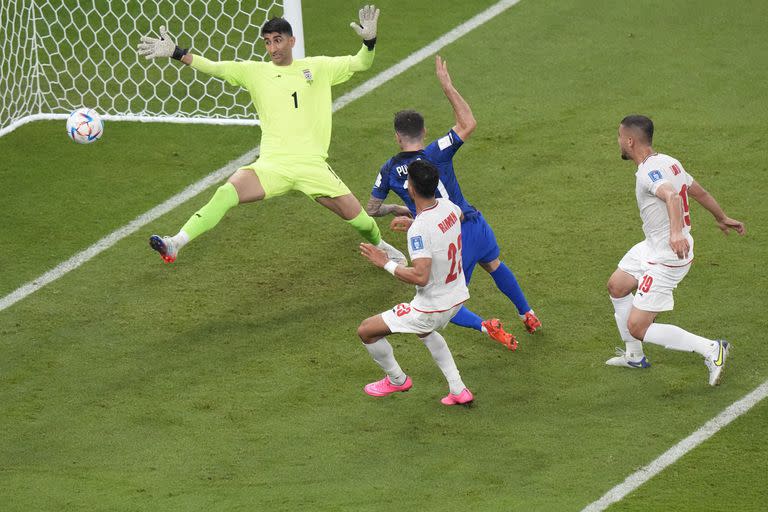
<point>58,55</point>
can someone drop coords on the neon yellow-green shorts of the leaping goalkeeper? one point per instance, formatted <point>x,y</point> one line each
<point>313,177</point>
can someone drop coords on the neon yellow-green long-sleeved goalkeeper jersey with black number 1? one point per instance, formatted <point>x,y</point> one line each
<point>294,102</point>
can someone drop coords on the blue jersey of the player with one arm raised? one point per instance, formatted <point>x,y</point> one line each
<point>394,173</point>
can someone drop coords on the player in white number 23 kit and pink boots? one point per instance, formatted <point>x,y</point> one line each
<point>434,243</point>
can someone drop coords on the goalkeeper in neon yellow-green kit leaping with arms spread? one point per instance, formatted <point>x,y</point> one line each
<point>293,99</point>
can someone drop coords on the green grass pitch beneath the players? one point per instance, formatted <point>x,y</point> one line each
<point>232,380</point>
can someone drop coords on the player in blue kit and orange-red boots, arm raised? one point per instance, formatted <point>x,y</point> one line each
<point>478,241</point>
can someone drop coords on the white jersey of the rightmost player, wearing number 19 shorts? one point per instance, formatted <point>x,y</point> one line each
<point>651,173</point>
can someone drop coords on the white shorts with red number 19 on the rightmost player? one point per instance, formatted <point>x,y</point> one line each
<point>655,281</point>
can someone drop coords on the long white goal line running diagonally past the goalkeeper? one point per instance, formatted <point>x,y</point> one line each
<point>218,175</point>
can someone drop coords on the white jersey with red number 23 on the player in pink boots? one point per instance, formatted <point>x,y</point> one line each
<point>436,233</point>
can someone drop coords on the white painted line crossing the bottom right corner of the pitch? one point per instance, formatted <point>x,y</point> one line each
<point>671,456</point>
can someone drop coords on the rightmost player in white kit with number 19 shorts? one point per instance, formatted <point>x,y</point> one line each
<point>655,266</point>
